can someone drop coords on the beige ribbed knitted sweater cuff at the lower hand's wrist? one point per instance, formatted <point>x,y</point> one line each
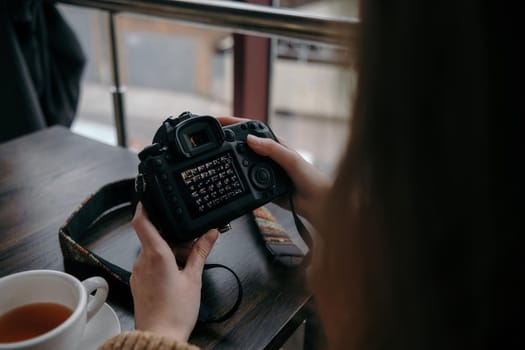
<point>139,340</point>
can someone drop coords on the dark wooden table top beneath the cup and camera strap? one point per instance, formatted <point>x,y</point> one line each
<point>44,176</point>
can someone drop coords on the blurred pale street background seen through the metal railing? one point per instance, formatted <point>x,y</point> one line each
<point>168,67</point>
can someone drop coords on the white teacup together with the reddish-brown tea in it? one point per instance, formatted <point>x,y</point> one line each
<point>47,309</point>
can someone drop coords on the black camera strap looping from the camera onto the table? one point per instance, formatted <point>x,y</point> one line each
<point>117,198</point>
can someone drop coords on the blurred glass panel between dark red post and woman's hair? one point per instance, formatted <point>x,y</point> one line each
<point>311,90</point>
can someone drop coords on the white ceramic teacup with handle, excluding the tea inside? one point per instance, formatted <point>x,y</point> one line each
<point>50,286</point>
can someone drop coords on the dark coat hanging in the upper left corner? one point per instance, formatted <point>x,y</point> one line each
<point>41,65</point>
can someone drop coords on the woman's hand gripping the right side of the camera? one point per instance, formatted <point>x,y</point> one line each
<point>311,186</point>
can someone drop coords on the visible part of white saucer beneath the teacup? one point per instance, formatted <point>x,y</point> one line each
<point>103,325</point>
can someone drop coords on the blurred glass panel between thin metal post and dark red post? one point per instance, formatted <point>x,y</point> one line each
<point>169,68</point>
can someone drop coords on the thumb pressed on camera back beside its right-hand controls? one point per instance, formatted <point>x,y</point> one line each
<point>287,158</point>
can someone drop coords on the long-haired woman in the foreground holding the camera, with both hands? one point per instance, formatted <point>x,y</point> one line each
<point>422,247</point>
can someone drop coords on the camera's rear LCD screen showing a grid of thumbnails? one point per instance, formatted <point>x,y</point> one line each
<point>211,184</point>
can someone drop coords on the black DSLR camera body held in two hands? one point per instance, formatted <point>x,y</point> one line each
<point>197,175</point>
